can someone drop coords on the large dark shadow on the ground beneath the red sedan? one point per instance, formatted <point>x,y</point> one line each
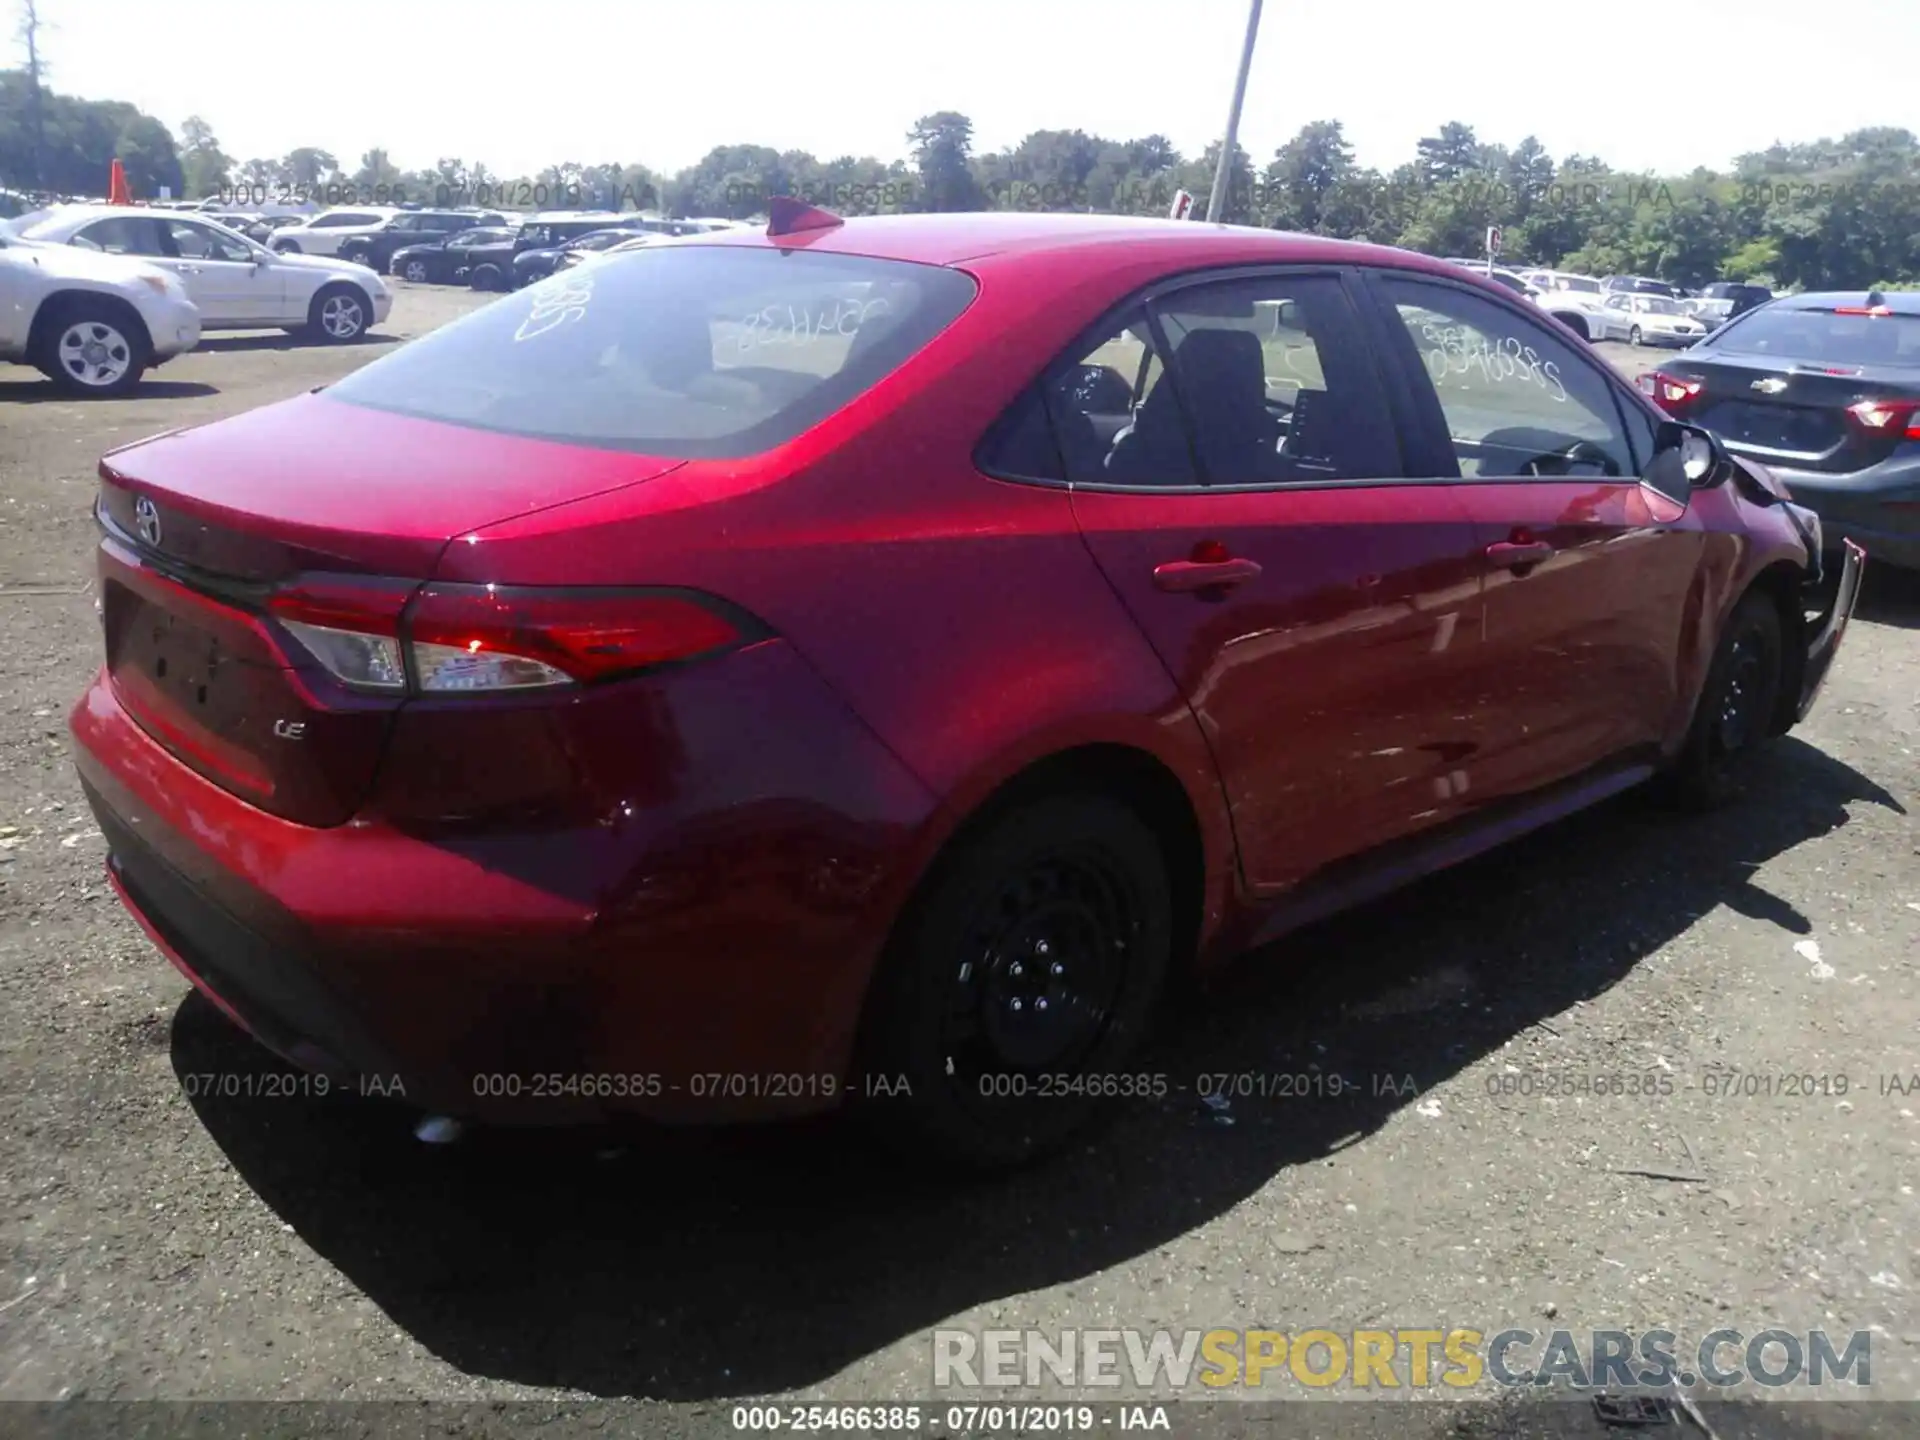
<point>706,1264</point>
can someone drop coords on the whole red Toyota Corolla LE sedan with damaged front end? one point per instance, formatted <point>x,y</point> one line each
<point>863,661</point>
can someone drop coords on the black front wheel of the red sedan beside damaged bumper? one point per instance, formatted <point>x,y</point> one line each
<point>1737,708</point>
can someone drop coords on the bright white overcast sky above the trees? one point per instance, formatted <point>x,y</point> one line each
<point>523,85</point>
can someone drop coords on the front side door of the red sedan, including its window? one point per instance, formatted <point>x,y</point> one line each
<point>1589,569</point>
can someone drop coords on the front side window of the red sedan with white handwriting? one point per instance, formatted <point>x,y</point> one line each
<point>1518,400</point>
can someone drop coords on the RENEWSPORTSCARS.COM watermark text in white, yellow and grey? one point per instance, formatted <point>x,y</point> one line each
<point>1397,1360</point>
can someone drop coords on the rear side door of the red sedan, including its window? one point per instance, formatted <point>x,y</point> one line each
<point>1237,477</point>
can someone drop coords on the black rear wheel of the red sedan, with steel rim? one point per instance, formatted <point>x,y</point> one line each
<point>1019,986</point>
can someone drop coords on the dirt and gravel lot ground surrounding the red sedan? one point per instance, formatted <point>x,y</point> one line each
<point>289,1249</point>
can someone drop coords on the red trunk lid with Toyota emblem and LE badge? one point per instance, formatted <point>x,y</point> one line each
<point>203,529</point>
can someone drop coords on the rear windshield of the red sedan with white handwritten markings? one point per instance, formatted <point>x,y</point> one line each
<point>673,350</point>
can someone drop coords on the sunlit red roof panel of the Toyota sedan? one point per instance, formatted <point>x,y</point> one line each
<point>967,237</point>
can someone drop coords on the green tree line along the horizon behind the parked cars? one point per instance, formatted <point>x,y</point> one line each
<point>1823,214</point>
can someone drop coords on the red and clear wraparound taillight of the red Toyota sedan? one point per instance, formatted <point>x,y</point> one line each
<point>494,638</point>
